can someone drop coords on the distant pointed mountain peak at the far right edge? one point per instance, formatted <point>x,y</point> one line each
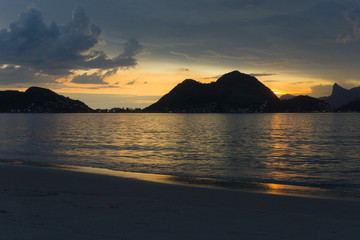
<point>341,96</point>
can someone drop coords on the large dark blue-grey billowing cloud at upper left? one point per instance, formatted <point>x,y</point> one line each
<point>58,50</point>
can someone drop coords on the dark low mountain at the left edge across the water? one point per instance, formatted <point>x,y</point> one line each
<point>36,99</point>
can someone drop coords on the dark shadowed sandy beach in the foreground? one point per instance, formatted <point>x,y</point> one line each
<point>45,203</point>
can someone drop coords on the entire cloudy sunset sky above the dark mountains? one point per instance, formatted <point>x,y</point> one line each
<point>129,53</point>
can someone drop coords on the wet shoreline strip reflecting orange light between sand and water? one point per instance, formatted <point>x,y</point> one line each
<point>256,187</point>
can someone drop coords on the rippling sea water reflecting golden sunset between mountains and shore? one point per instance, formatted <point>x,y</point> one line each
<point>317,150</point>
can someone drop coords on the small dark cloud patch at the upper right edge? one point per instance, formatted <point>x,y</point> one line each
<point>353,16</point>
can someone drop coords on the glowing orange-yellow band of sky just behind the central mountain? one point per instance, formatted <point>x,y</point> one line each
<point>151,79</point>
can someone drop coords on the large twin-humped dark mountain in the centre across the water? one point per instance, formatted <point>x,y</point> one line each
<point>233,92</point>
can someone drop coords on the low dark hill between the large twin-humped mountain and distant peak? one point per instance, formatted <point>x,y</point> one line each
<point>302,104</point>
